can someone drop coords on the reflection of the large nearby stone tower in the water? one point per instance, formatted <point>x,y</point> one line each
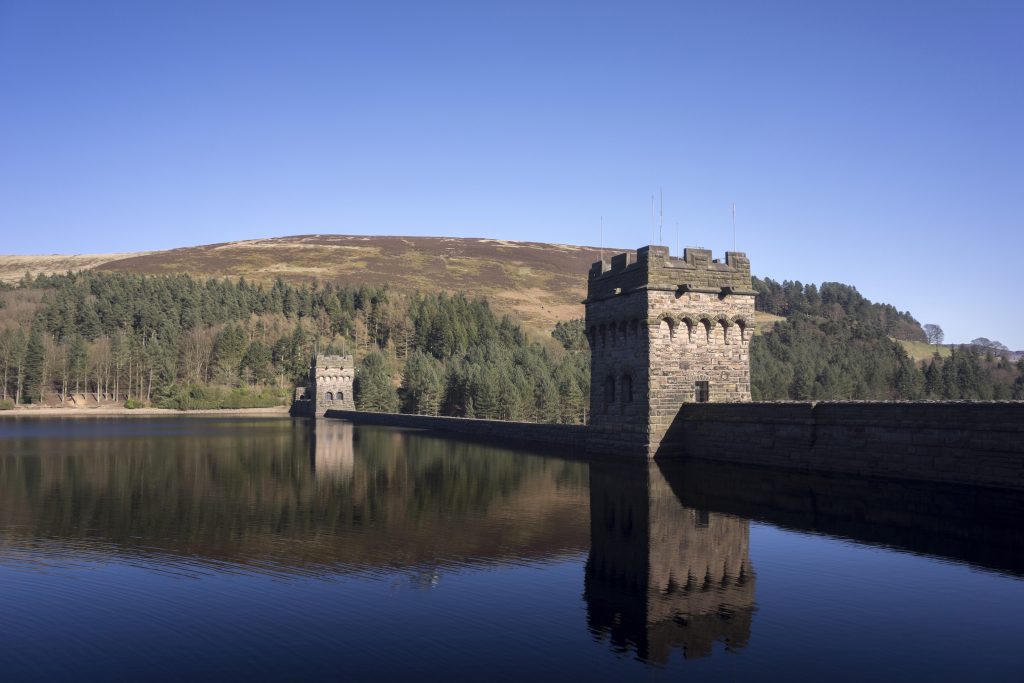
<point>662,576</point>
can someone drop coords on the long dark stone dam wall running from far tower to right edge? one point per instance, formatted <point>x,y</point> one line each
<point>975,444</point>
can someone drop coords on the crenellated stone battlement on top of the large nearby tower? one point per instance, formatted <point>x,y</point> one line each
<point>654,268</point>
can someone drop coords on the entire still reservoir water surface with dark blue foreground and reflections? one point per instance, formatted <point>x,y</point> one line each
<point>207,548</point>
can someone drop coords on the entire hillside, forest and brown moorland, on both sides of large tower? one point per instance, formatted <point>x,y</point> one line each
<point>233,325</point>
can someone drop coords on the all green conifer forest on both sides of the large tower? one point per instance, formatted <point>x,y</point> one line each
<point>176,341</point>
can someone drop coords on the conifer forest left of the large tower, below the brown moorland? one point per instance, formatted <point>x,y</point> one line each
<point>178,341</point>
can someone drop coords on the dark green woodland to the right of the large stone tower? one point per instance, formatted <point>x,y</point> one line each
<point>835,346</point>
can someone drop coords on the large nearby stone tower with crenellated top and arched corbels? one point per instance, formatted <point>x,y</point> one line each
<point>665,332</point>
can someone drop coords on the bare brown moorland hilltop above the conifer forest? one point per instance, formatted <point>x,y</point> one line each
<point>538,283</point>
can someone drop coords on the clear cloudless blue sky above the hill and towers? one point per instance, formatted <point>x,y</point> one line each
<point>876,144</point>
